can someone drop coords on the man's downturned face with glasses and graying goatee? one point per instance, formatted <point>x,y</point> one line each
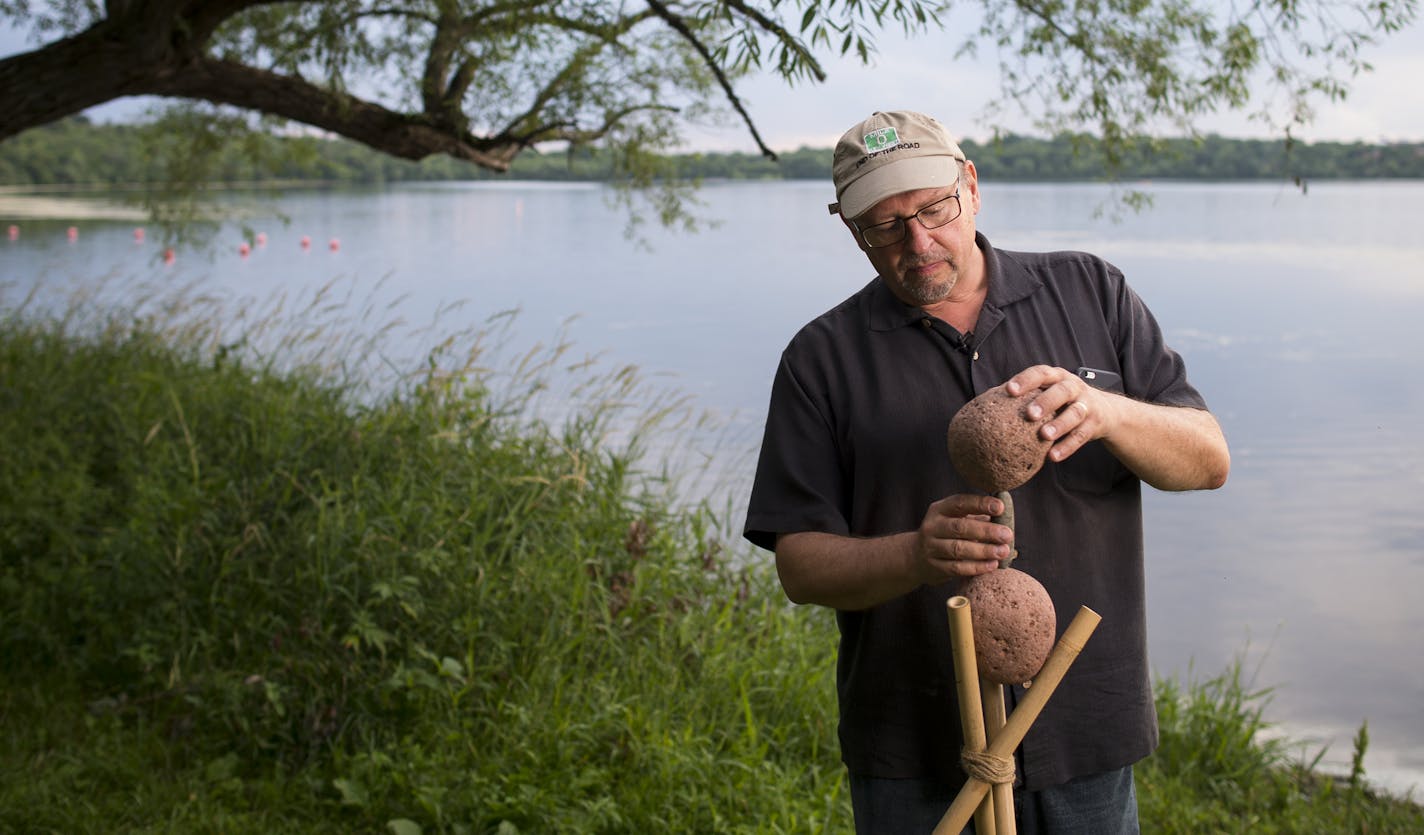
<point>928,266</point>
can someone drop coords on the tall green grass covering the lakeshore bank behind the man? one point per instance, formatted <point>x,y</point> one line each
<point>247,593</point>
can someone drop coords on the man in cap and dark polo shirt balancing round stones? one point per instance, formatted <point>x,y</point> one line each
<point>867,514</point>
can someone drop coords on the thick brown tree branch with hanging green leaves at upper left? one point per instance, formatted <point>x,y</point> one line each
<point>479,82</point>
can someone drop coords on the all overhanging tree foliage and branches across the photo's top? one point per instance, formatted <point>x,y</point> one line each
<point>488,82</point>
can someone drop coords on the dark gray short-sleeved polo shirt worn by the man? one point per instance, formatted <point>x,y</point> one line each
<point>855,447</point>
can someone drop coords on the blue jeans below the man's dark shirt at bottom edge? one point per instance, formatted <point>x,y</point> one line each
<point>1099,804</point>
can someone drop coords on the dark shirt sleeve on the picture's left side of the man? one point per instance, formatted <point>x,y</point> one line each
<point>800,479</point>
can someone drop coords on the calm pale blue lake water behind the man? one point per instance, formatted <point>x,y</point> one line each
<point>1301,317</point>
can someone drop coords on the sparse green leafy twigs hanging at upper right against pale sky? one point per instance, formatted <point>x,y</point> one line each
<point>1131,72</point>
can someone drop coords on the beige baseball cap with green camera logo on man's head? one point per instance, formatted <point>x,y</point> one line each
<point>892,153</point>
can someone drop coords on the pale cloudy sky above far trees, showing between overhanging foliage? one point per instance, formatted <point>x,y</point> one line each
<point>922,73</point>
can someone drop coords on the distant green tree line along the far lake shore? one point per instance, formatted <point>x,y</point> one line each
<point>78,153</point>
